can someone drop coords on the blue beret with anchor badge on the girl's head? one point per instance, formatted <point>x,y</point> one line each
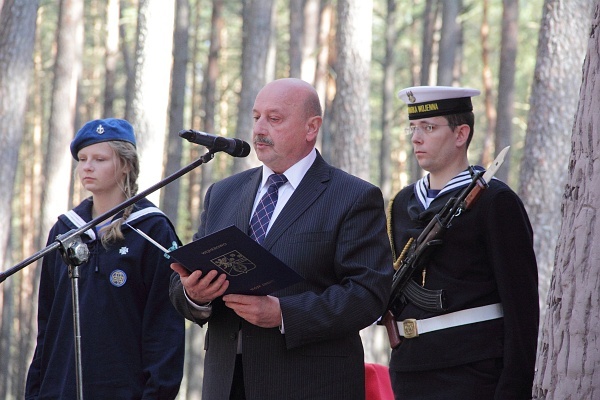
<point>102,130</point>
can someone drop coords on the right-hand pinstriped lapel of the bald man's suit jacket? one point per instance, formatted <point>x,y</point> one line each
<point>311,187</point>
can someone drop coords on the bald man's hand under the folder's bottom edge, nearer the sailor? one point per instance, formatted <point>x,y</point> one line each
<point>263,311</point>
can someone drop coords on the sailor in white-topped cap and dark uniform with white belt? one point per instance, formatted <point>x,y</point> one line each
<point>482,343</point>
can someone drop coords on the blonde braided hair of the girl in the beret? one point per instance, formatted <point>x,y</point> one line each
<point>128,159</point>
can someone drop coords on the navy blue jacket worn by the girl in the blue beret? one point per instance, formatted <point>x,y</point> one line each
<point>132,339</point>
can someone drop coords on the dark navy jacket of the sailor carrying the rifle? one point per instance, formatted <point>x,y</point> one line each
<point>486,257</point>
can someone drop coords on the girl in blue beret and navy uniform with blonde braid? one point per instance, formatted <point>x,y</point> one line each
<point>132,339</point>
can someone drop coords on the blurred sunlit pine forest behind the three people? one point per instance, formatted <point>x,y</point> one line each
<point>168,65</point>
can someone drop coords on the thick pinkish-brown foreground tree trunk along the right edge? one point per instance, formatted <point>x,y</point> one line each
<point>568,364</point>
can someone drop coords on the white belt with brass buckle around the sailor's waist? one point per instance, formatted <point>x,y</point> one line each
<point>411,328</point>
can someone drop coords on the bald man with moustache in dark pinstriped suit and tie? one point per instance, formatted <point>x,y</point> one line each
<point>302,342</point>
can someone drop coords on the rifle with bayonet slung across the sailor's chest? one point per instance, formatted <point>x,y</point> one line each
<point>404,288</point>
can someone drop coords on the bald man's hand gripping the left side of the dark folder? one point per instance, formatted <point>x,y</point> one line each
<point>201,289</point>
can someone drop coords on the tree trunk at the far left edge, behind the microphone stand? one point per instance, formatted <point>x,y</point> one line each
<point>17,34</point>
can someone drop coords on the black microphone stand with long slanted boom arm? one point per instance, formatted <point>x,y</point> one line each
<point>74,253</point>
